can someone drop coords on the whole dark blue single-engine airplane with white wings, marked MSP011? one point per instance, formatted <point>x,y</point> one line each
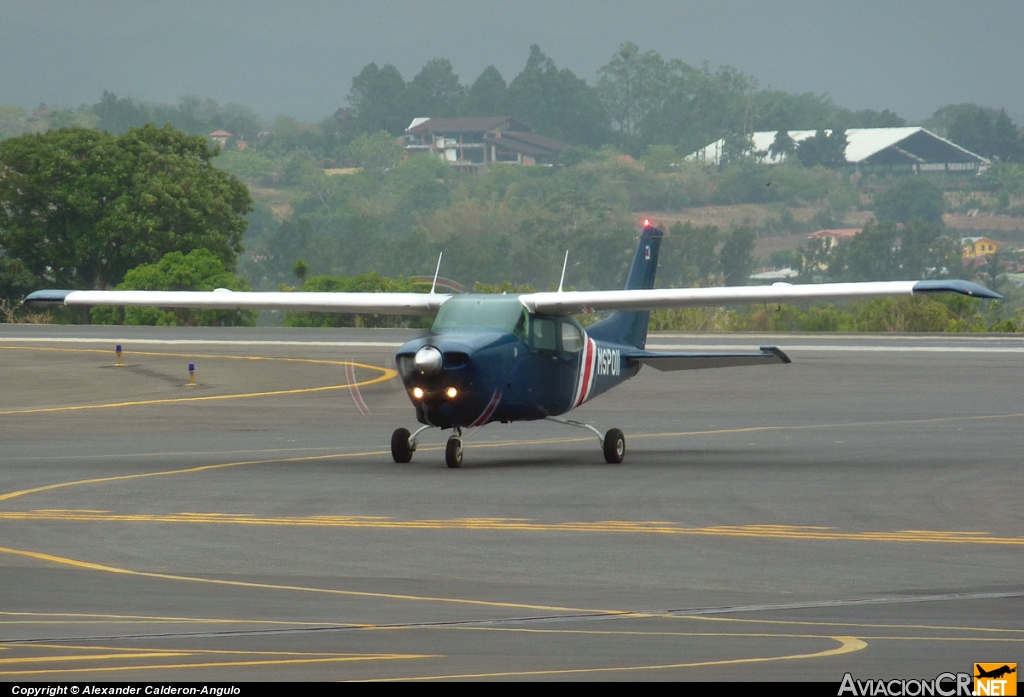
<point>525,358</point>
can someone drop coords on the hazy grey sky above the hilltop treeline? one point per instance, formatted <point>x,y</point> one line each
<point>298,58</point>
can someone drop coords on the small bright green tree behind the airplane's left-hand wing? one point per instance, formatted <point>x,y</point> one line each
<point>199,271</point>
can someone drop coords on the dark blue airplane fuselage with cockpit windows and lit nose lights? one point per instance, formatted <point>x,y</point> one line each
<point>528,367</point>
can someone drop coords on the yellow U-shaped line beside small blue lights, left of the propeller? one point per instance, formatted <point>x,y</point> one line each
<point>387,374</point>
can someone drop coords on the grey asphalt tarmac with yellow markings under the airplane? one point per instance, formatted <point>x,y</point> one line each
<point>856,511</point>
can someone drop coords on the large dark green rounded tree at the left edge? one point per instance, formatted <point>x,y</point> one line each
<point>80,208</point>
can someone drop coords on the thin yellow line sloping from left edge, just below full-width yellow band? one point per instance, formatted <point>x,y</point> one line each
<point>302,589</point>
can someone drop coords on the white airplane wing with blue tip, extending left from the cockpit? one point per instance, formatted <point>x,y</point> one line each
<point>370,303</point>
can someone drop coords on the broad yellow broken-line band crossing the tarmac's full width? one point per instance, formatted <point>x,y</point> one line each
<point>526,526</point>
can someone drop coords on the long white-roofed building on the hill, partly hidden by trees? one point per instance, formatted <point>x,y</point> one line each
<point>871,150</point>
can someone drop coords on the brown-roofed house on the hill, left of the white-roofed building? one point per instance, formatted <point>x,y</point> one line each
<point>476,143</point>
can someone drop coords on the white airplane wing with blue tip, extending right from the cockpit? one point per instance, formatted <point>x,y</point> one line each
<point>585,301</point>
